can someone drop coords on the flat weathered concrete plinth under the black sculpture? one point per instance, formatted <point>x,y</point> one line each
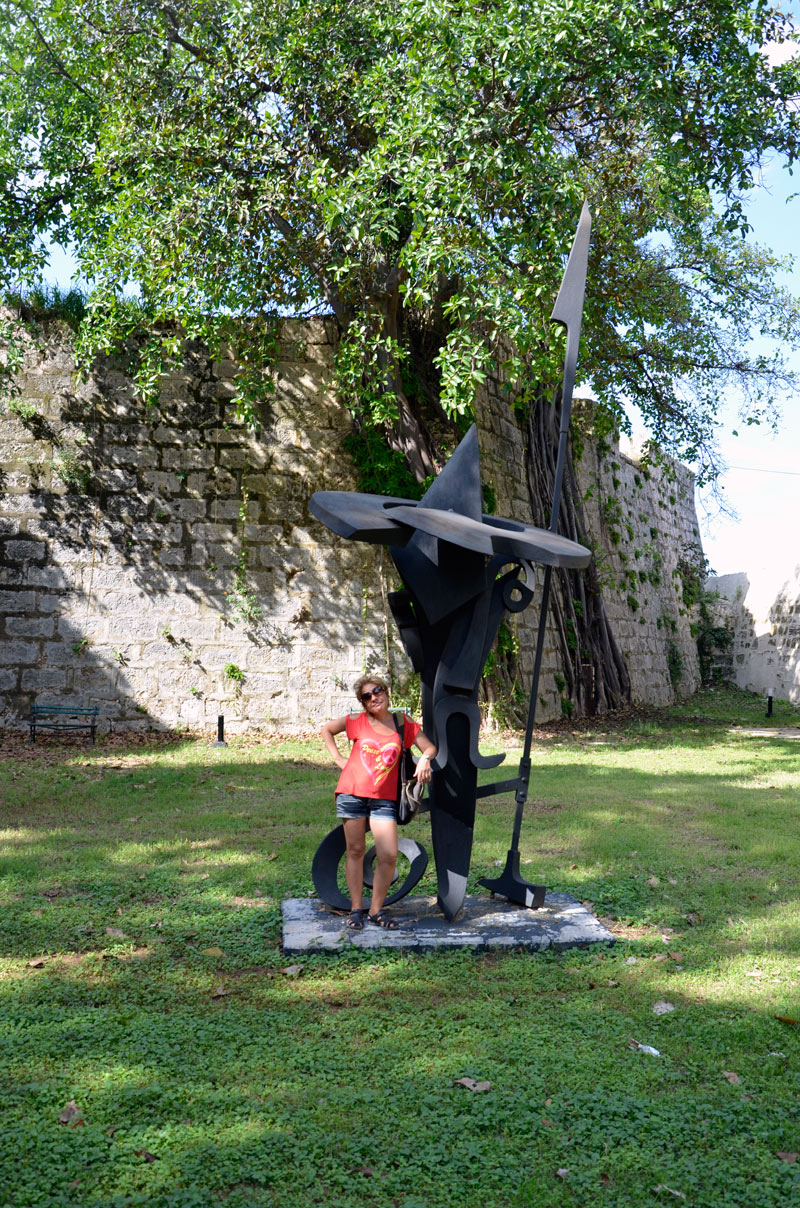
<point>309,926</point>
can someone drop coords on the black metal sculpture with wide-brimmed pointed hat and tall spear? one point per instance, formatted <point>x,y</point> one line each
<point>461,572</point>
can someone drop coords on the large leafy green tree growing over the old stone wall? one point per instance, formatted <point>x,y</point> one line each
<point>418,170</point>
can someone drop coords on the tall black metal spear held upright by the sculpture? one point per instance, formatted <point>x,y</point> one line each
<point>569,312</point>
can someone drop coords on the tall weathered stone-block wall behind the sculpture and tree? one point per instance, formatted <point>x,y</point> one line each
<point>163,564</point>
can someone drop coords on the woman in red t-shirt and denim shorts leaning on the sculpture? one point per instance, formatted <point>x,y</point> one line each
<point>368,789</point>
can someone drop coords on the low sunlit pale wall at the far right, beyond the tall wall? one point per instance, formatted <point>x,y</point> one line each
<point>766,618</point>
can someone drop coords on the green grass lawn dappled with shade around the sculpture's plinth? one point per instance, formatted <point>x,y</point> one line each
<point>155,1053</point>
